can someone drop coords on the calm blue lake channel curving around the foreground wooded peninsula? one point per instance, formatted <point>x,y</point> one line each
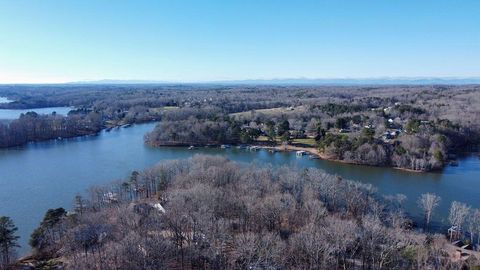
<point>45,175</point>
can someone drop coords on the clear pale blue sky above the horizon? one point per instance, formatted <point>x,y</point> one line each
<point>66,40</point>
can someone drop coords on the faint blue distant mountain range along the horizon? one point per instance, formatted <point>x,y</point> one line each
<point>305,81</point>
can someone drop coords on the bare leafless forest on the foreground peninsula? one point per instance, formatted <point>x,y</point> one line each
<point>210,213</point>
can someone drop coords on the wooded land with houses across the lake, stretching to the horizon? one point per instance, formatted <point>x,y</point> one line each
<point>419,128</point>
